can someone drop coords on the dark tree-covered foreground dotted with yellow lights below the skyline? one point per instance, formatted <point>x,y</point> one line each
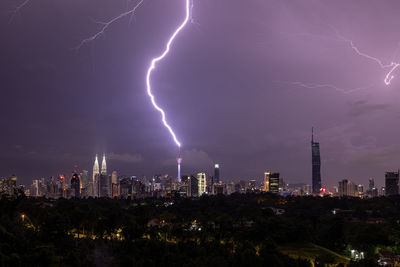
<point>235,230</point>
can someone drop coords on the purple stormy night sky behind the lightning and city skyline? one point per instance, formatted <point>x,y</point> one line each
<point>228,87</point>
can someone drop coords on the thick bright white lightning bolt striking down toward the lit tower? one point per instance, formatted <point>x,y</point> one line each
<point>154,61</point>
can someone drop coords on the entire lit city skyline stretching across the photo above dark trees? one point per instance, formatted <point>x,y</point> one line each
<point>102,184</point>
